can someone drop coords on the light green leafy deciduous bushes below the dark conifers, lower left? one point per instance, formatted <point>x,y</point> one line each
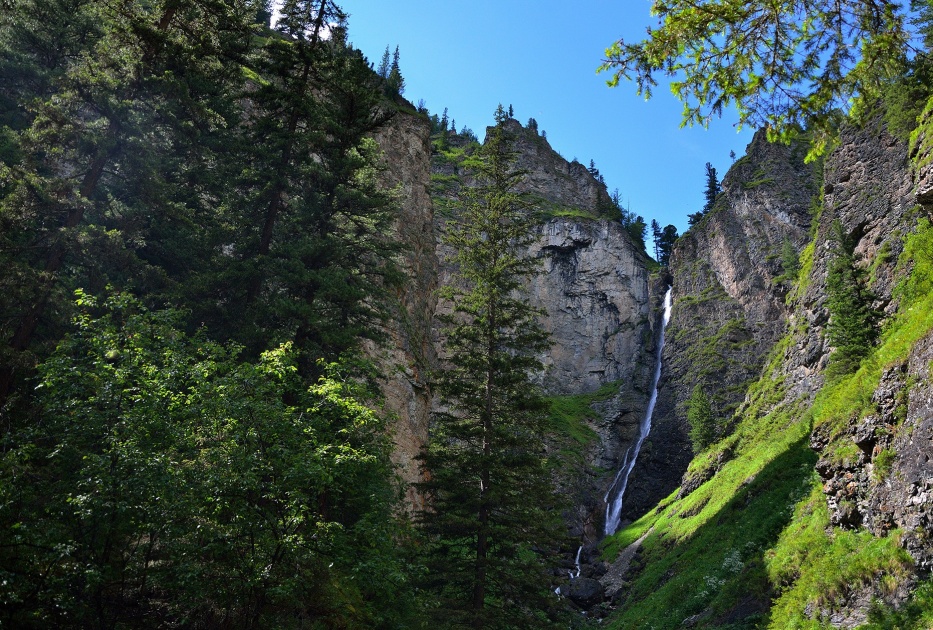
<point>166,482</point>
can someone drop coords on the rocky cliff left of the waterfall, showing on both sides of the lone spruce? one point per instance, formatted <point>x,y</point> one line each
<point>593,287</point>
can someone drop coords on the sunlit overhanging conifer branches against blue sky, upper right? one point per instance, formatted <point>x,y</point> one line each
<point>783,65</point>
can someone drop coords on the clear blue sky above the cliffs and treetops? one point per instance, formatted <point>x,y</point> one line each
<point>541,56</point>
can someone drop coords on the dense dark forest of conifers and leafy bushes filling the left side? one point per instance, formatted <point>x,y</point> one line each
<point>194,241</point>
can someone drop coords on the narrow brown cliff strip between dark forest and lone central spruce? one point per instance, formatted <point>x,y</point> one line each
<point>410,354</point>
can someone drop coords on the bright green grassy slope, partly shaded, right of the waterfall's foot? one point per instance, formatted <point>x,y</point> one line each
<point>753,547</point>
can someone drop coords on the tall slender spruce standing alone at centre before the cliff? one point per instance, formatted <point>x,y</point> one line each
<point>487,528</point>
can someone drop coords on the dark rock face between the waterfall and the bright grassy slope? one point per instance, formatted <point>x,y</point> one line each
<point>728,302</point>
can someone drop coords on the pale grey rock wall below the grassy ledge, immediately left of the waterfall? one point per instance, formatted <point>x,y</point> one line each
<point>594,291</point>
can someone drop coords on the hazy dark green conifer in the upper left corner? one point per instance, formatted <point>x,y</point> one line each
<point>100,140</point>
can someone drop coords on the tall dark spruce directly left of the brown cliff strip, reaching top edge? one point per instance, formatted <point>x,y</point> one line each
<point>304,253</point>
